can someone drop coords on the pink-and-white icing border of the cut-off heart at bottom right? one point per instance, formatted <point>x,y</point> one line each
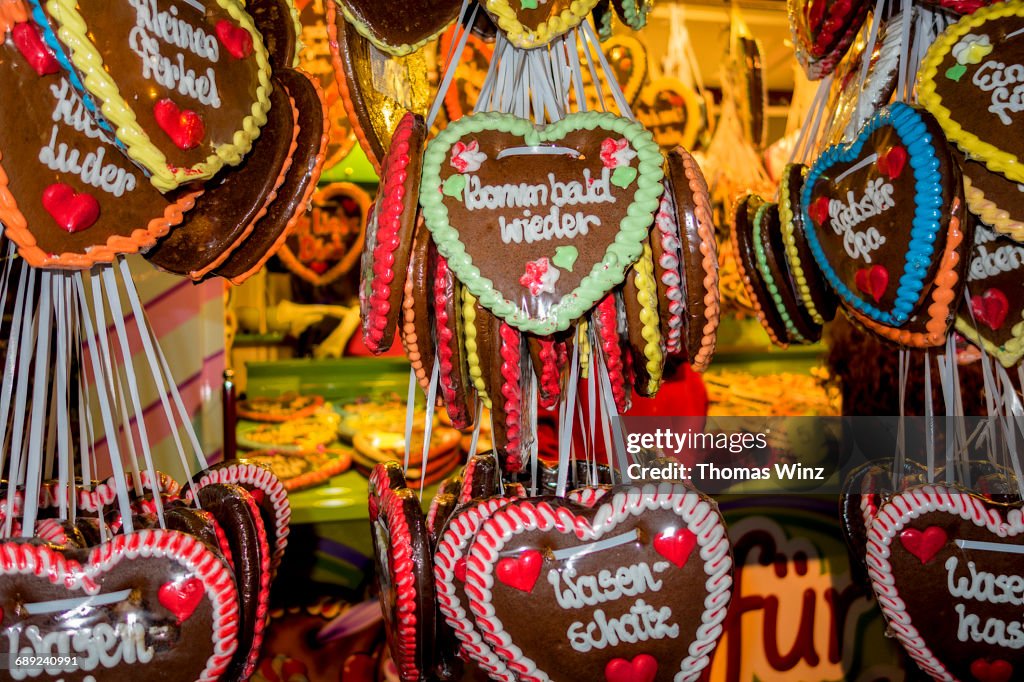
<point>891,519</point>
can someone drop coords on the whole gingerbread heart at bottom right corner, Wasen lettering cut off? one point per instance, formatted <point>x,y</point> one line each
<point>940,560</point>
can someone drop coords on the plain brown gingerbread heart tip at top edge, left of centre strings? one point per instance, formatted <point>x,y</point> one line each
<point>400,33</point>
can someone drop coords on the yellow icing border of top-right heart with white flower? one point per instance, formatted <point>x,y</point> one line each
<point>996,159</point>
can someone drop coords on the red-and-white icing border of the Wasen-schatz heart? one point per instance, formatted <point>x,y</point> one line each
<point>699,514</point>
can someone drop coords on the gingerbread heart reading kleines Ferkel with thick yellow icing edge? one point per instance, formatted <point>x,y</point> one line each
<point>204,104</point>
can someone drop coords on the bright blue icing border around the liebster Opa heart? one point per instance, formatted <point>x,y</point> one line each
<point>913,133</point>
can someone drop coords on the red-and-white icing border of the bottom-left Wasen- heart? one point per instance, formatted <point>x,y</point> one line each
<point>42,562</point>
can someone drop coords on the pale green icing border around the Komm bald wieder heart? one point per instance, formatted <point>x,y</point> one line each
<point>622,252</point>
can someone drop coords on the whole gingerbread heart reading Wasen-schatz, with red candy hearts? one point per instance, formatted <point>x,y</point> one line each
<point>613,579</point>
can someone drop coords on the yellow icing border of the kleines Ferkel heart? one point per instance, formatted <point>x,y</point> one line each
<point>74,33</point>
